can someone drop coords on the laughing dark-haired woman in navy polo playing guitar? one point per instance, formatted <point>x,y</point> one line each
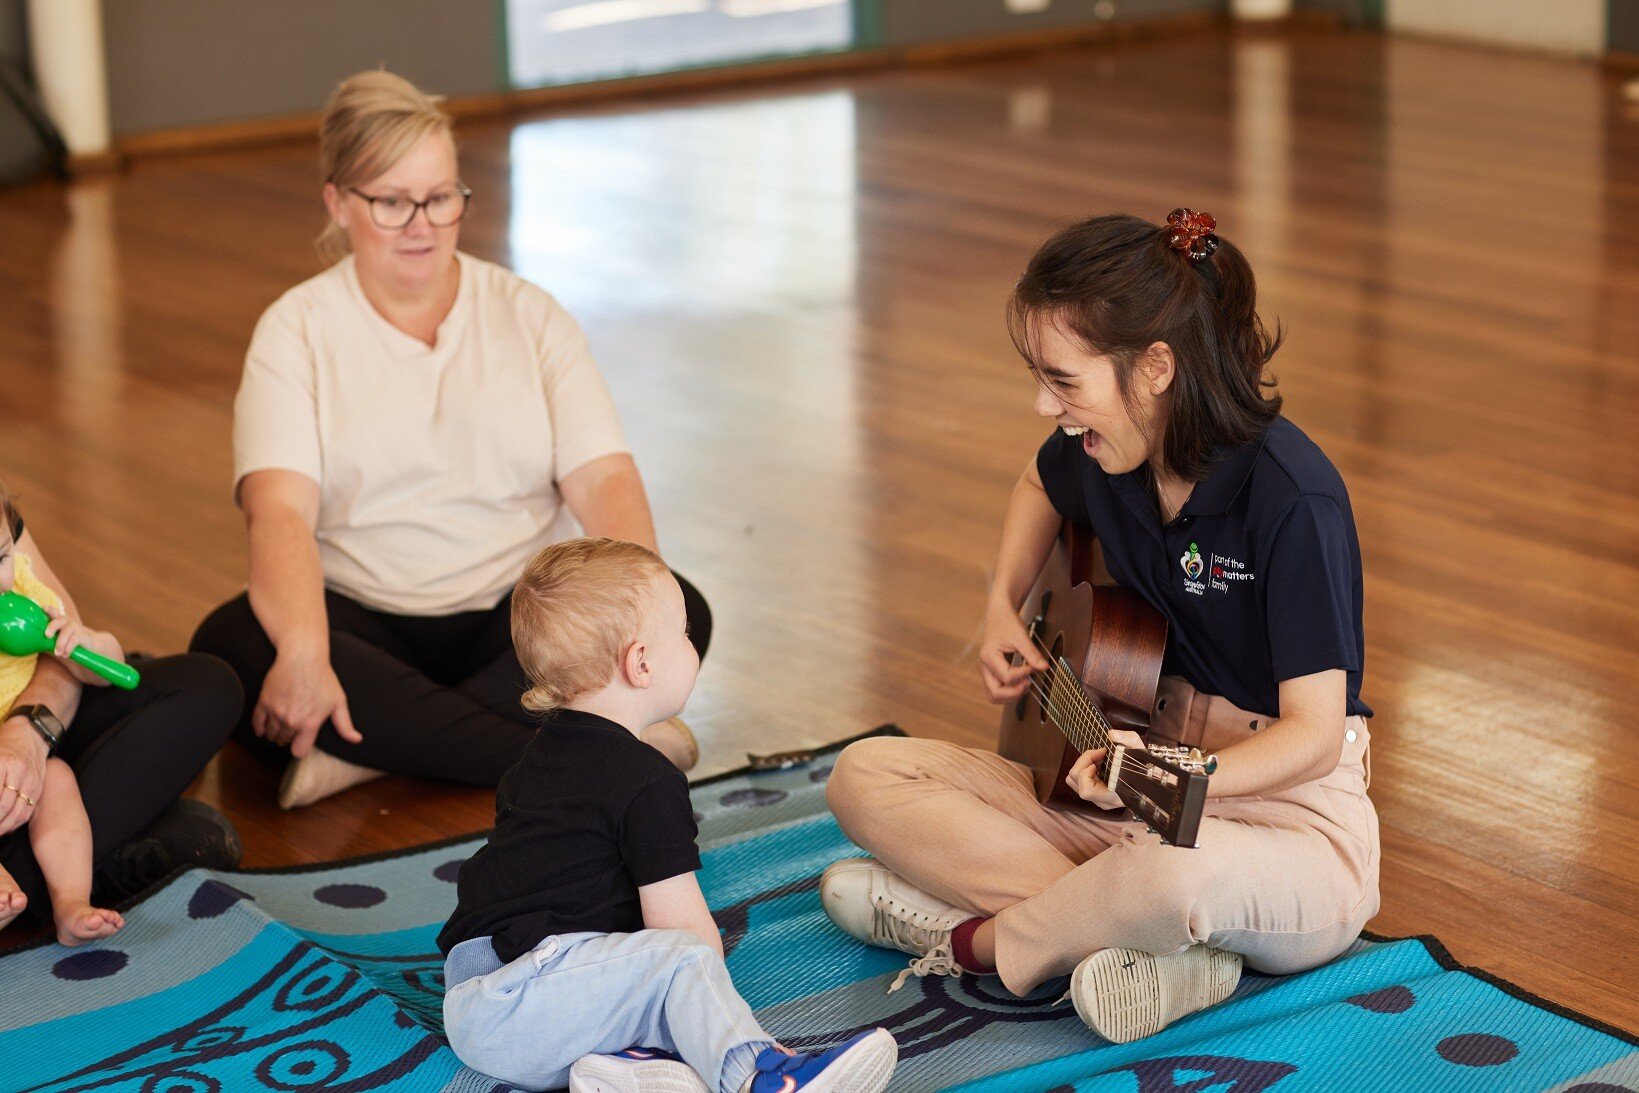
<point>1228,522</point>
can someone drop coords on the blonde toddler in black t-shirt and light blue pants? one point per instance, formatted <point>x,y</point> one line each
<point>583,948</point>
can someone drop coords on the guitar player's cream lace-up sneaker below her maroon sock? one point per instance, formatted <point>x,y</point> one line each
<point>873,904</point>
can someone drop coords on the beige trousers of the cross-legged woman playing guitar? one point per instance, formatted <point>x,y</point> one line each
<point>1287,881</point>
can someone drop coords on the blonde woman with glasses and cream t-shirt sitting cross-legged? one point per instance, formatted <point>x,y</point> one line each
<point>412,427</point>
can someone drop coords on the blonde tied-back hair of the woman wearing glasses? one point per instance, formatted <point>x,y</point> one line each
<point>371,120</point>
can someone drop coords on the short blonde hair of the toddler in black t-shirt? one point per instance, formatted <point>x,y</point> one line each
<point>576,610</point>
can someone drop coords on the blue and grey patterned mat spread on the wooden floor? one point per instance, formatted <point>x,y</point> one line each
<point>327,979</point>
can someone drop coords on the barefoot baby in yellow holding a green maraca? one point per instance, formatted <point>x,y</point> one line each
<point>34,620</point>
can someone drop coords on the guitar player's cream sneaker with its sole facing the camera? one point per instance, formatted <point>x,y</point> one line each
<point>1127,994</point>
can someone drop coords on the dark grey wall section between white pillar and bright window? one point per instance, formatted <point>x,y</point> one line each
<point>176,63</point>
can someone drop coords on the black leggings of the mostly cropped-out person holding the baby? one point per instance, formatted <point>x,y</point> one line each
<point>134,753</point>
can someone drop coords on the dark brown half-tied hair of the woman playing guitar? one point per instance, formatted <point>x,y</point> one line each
<point>1117,286</point>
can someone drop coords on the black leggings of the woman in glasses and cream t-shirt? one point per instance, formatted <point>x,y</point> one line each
<point>430,696</point>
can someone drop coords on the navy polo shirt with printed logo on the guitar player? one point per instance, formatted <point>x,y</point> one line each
<point>1260,576</point>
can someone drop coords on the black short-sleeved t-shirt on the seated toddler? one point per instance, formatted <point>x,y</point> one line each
<point>586,819</point>
